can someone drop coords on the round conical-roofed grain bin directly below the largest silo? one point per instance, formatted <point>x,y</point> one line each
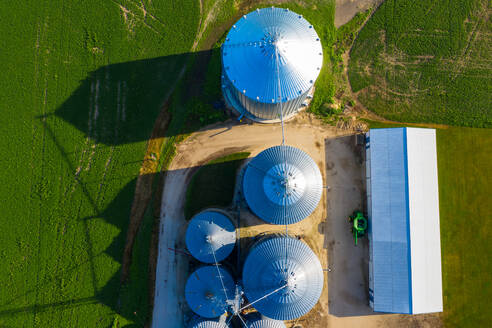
<point>282,185</point>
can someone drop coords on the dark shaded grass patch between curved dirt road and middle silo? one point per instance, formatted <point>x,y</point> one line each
<point>213,184</point>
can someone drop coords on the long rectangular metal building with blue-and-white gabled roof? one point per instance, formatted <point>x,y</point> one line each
<point>403,231</point>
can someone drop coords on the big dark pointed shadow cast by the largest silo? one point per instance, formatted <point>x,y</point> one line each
<point>119,103</point>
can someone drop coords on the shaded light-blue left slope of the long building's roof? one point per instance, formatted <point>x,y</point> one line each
<point>390,231</point>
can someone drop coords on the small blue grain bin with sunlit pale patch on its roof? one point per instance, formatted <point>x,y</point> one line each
<point>208,232</point>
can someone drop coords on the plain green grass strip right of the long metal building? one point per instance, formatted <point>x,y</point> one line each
<point>465,175</point>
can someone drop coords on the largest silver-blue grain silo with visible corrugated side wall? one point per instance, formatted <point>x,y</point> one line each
<point>270,60</point>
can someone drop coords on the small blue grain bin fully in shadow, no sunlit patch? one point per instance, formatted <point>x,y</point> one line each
<point>205,294</point>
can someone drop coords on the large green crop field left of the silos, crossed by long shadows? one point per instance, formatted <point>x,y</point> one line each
<point>82,84</point>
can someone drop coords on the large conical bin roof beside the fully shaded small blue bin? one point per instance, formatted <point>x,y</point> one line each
<point>289,266</point>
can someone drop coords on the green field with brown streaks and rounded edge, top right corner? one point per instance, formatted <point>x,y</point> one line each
<point>426,61</point>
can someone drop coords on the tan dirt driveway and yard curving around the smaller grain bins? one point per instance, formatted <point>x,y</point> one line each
<point>343,302</point>
